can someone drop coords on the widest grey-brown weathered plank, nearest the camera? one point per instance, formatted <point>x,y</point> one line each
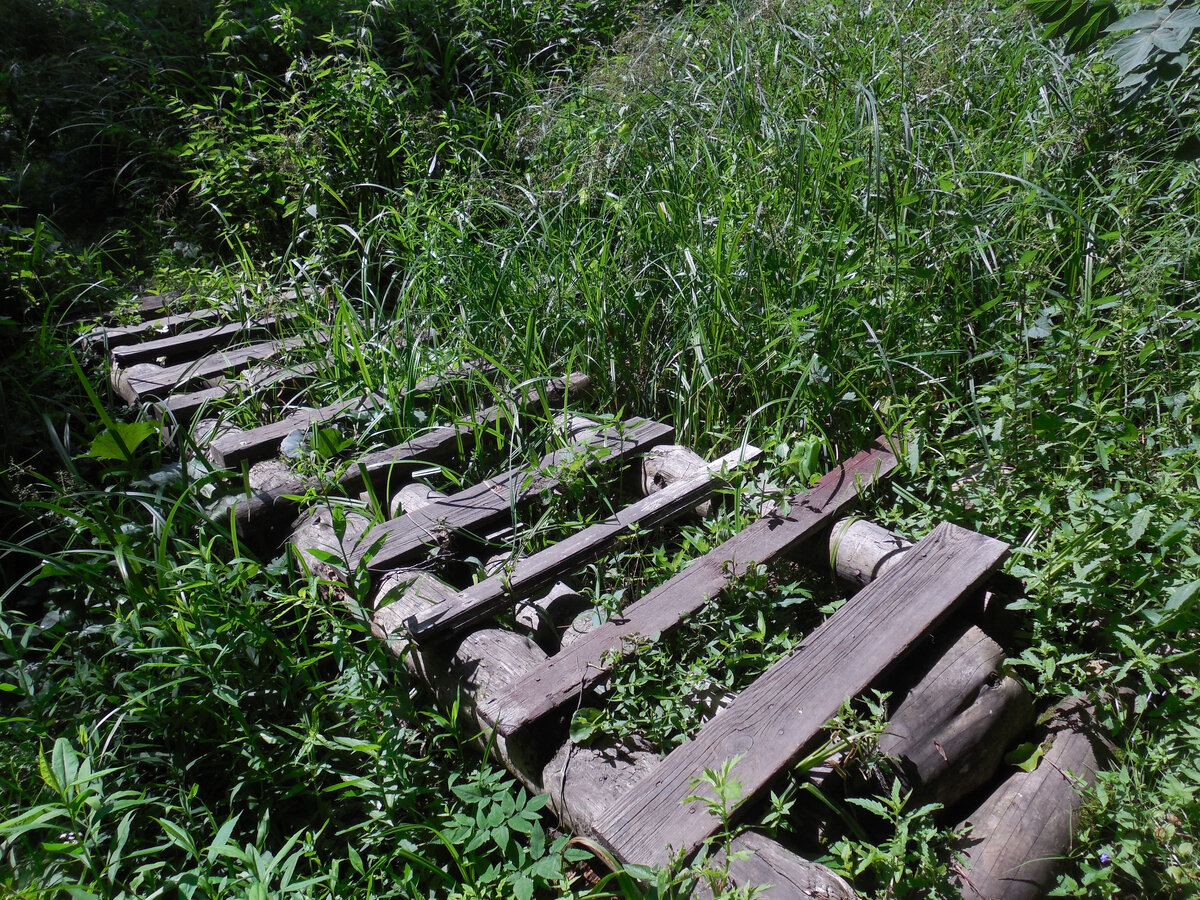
<point>770,724</point>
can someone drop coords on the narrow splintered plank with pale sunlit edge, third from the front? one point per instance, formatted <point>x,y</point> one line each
<point>547,567</point>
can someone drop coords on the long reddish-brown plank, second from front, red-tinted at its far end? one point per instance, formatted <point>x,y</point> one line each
<point>586,663</point>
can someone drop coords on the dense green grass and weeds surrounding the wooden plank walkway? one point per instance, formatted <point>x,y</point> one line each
<point>802,223</point>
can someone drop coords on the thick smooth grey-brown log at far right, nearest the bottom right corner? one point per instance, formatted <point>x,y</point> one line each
<point>1019,836</point>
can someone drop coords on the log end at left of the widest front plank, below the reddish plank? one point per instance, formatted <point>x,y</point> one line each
<point>583,781</point>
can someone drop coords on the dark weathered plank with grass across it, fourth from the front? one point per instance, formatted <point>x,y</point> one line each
<point>403,541</point>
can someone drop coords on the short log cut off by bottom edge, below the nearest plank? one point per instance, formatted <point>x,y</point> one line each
<point>760,862</point>
